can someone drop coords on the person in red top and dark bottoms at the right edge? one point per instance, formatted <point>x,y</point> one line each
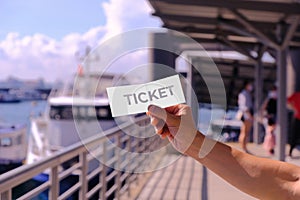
<point>294,139</point>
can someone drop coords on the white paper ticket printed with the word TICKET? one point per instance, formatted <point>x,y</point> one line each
<point>132,99</point>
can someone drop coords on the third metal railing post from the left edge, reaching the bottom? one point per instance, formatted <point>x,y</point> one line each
<point>83,178</point>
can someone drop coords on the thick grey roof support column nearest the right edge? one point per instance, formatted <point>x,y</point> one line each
<point>281,129</point>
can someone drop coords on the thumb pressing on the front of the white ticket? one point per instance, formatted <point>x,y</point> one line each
<point>161,113</point>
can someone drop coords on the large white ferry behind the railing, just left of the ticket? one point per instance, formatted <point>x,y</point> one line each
<point>78,111</point>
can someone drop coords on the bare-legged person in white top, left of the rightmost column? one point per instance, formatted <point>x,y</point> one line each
<point>245,104</point>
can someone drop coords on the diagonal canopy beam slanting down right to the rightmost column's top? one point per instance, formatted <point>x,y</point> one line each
<point>252,28</point>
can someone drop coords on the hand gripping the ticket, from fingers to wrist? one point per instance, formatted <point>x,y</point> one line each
<point>176,123</point>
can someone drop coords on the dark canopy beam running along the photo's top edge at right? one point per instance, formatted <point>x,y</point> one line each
<point>279,7</point>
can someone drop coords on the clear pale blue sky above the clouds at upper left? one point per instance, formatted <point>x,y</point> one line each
<point>55,18</point>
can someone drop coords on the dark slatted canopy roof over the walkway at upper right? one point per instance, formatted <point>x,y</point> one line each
<point>273,23</point>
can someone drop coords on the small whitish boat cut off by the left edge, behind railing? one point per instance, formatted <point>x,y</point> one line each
<point>13,146</point>
